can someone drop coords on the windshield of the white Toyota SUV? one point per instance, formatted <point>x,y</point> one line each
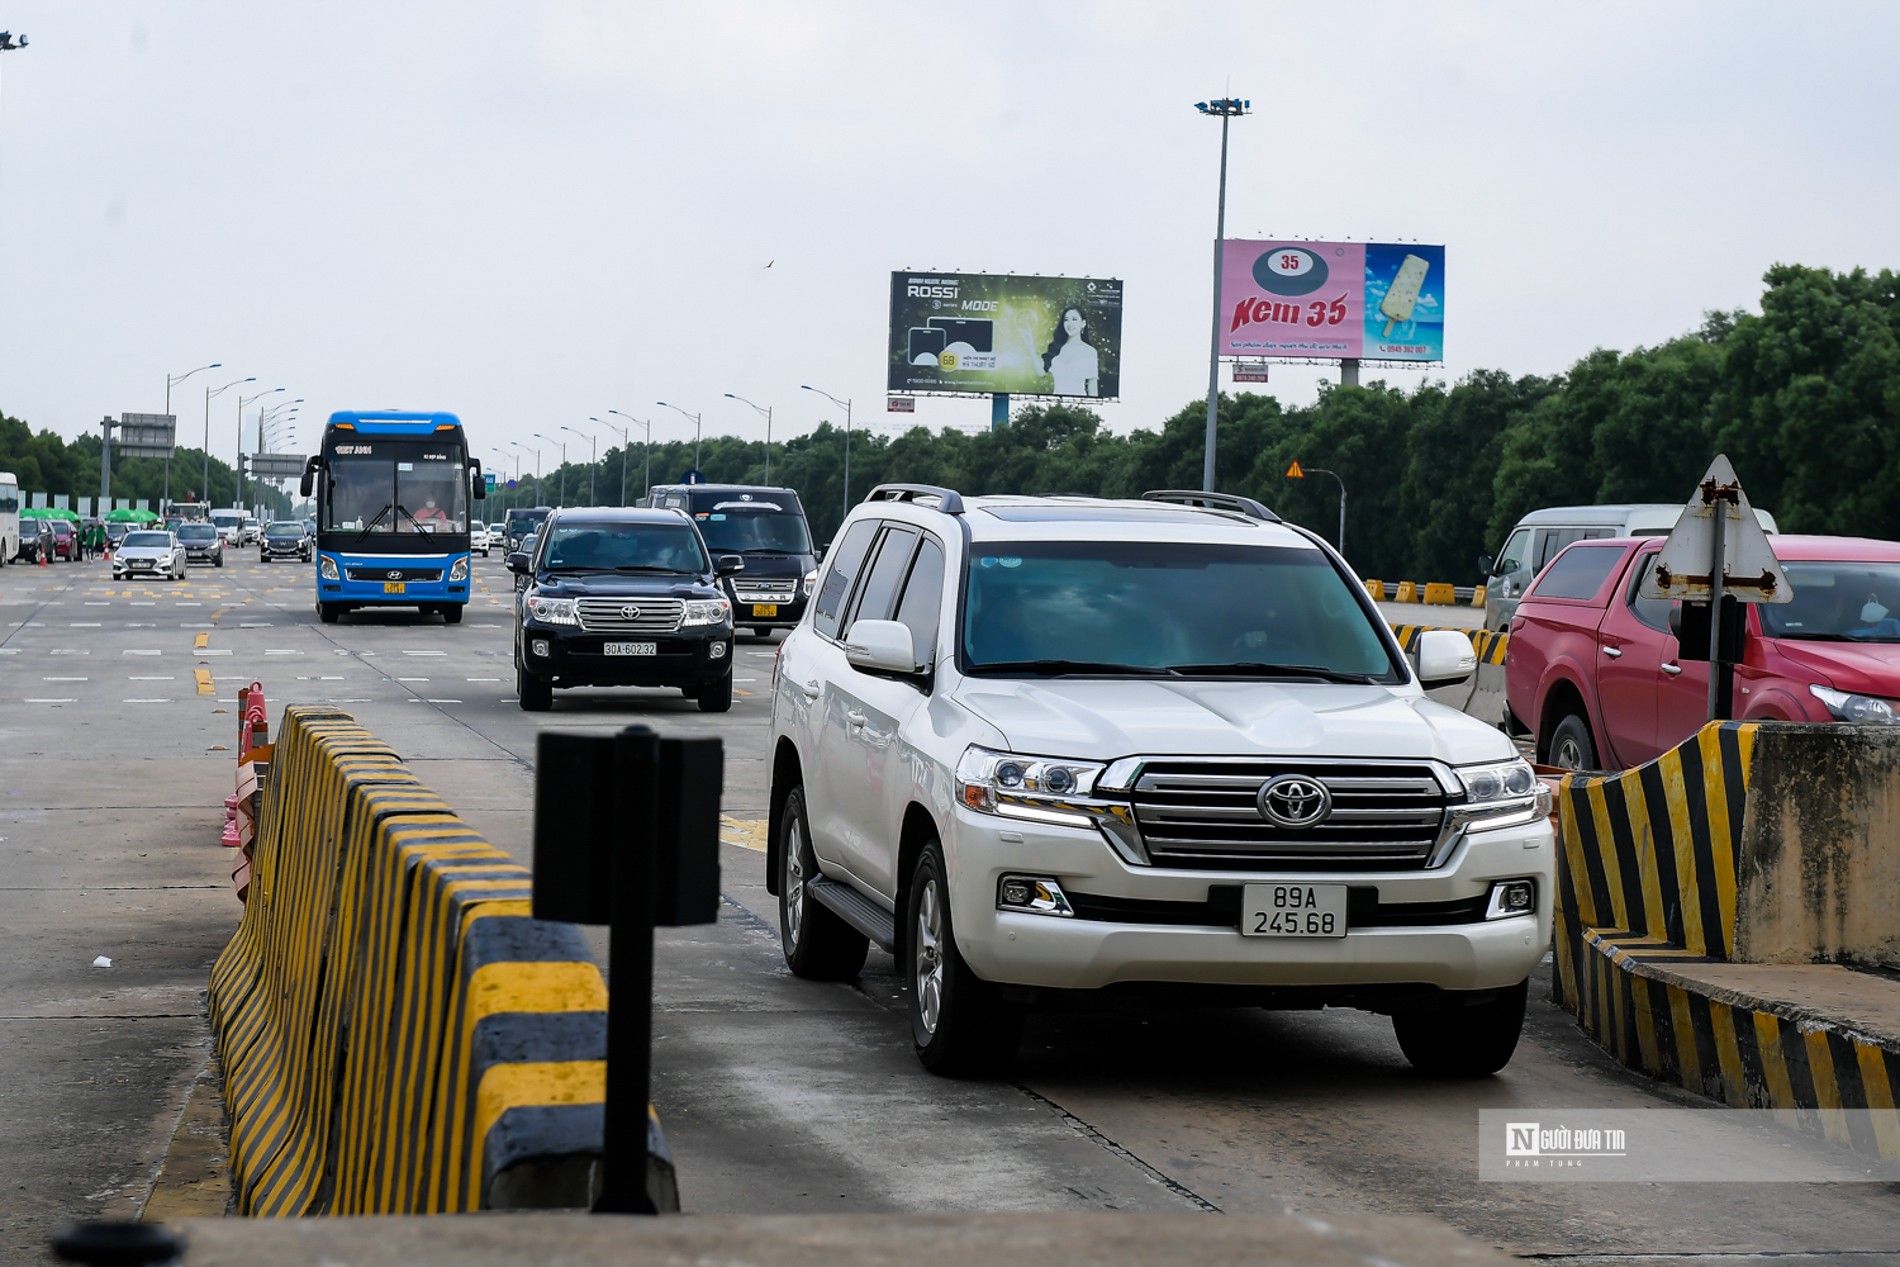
<point>1164,609</point>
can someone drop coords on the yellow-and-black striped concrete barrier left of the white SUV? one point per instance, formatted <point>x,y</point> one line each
<point>398,1036</point>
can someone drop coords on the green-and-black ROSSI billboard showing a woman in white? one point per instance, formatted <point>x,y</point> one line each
<point>985,333</point>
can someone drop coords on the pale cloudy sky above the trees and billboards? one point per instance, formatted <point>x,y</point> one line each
<point>531,214</point>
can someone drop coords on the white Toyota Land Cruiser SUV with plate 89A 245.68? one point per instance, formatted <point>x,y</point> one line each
<point>1061,744</point>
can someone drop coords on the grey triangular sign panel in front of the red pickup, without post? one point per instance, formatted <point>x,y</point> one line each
<point>1749,567</point>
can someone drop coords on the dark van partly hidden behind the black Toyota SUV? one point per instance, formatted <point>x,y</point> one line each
<point>769,529</point>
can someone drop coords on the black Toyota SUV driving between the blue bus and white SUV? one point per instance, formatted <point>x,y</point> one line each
<point>622,597</point>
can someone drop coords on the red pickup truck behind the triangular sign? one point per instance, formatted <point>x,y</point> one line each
<point>1593,670</point>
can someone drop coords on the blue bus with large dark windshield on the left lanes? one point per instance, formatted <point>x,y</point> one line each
<point>394,495</point>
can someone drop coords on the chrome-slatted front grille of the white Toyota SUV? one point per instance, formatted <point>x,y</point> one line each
<point>1204,816</point>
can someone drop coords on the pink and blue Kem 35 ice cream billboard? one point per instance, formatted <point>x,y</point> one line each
<point>1333,299</point>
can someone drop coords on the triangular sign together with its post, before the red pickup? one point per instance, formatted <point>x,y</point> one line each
<point>1722,529</point>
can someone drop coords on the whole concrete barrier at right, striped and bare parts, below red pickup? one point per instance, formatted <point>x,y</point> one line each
<point>1713,907</point>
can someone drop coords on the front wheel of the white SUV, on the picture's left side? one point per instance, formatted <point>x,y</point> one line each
<point>960,1025</point>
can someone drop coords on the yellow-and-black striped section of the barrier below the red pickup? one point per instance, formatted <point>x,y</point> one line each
<point>1652,886</point>
